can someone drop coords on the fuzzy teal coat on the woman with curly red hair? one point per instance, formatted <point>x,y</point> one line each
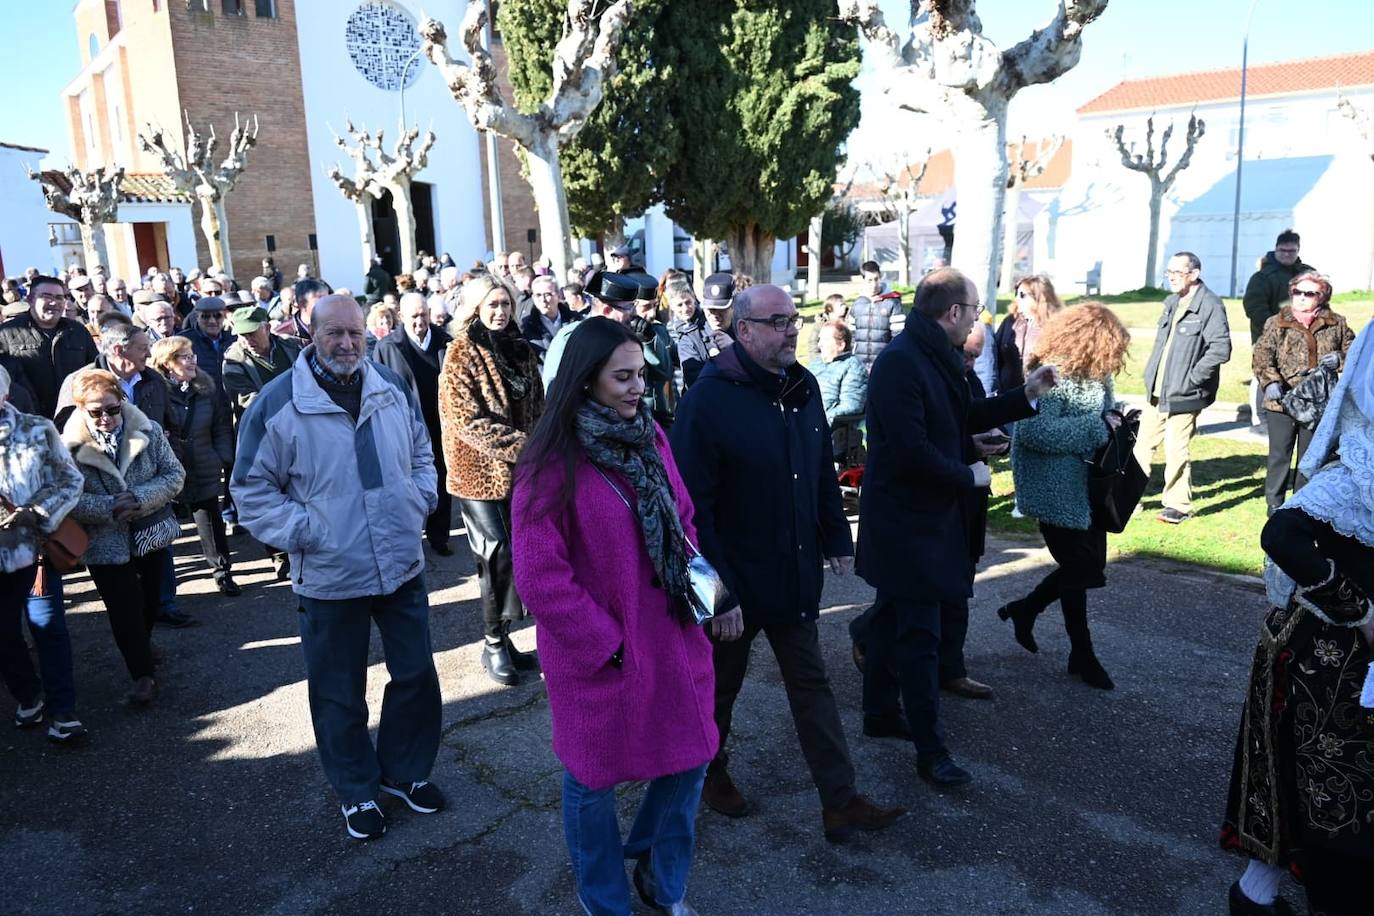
<point>1050,453</point>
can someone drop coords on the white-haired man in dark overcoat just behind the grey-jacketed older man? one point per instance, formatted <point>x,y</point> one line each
<point>416,351</point>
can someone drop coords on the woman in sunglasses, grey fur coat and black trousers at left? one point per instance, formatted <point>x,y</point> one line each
<point>131,473</point>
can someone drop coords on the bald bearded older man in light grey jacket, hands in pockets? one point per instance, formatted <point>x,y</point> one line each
<point>336,468</point>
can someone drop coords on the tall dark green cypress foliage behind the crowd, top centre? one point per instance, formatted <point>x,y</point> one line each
<point>730,112</point>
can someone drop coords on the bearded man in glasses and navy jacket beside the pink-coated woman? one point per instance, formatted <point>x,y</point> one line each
<point>754,447</point>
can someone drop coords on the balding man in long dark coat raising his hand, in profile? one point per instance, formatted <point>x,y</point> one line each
<point>914,506</point>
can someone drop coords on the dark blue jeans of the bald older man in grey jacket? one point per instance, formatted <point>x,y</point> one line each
<point>335,637</point>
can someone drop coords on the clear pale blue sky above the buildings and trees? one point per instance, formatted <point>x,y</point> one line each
<point>1134,39</point>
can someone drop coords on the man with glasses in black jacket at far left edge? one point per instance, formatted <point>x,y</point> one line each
<point>43,347</point>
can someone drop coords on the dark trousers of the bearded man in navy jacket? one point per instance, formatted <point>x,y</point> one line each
<point>814,712</point>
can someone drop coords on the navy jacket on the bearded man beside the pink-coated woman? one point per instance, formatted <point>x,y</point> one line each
<point>755,453</point>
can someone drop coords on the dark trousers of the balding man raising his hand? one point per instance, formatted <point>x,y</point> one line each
<point>903,660</point>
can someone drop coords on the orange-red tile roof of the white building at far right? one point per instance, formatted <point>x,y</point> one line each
<point>1218,86</point>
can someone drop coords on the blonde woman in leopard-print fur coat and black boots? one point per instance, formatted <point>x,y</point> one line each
<point>490,398</point>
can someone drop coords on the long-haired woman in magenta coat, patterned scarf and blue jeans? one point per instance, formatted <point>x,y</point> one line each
<point>601,531</point>
